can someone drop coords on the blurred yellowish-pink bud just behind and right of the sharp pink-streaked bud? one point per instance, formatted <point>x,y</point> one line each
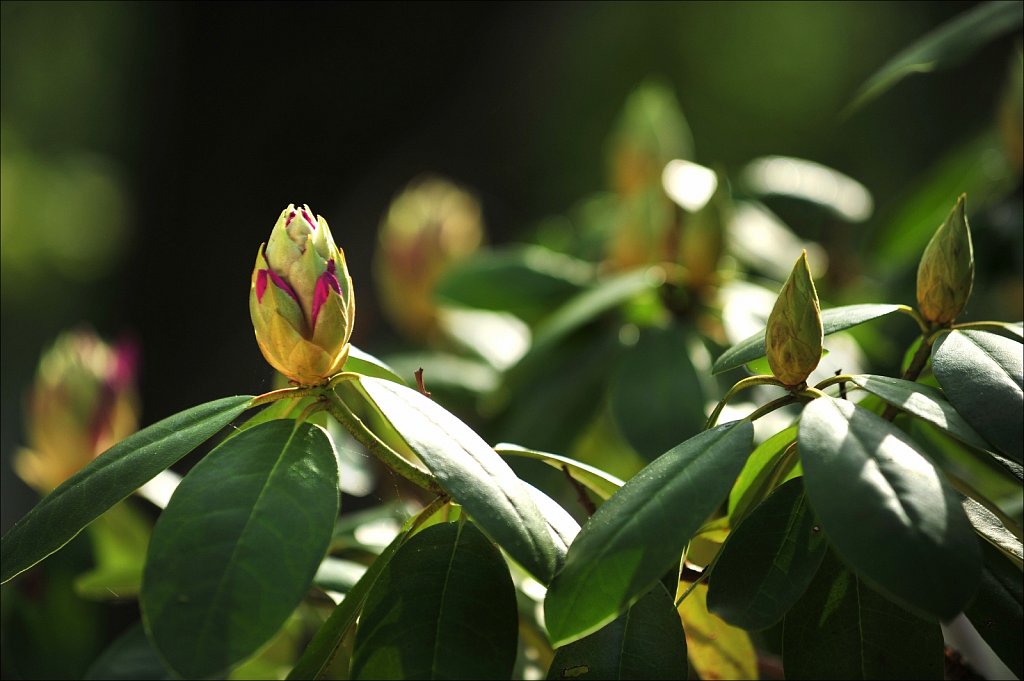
<point>430,228</point>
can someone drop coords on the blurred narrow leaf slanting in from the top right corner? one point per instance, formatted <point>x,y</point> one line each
<point>947,47</point>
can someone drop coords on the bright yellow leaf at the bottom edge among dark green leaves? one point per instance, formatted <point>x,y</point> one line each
<point>716,650</point>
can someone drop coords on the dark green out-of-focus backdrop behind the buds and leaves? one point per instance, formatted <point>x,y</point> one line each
<point>148,150</point>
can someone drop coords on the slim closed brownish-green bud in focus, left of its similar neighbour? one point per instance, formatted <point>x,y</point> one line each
<point>793,338</point>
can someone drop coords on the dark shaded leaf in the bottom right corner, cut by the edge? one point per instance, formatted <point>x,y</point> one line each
<point>998,609</point>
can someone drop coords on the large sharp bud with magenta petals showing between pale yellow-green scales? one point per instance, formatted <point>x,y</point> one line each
<point>301,299</point>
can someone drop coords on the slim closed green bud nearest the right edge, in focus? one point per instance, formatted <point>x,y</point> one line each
<point>947,271</point>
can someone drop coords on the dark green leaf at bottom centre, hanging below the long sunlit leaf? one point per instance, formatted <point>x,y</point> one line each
<point>443,609</point>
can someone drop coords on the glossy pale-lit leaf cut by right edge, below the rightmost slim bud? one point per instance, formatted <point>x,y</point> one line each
<point>984,376</point>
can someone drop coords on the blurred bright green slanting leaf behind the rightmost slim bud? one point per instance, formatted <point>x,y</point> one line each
<point>979,168</point>
